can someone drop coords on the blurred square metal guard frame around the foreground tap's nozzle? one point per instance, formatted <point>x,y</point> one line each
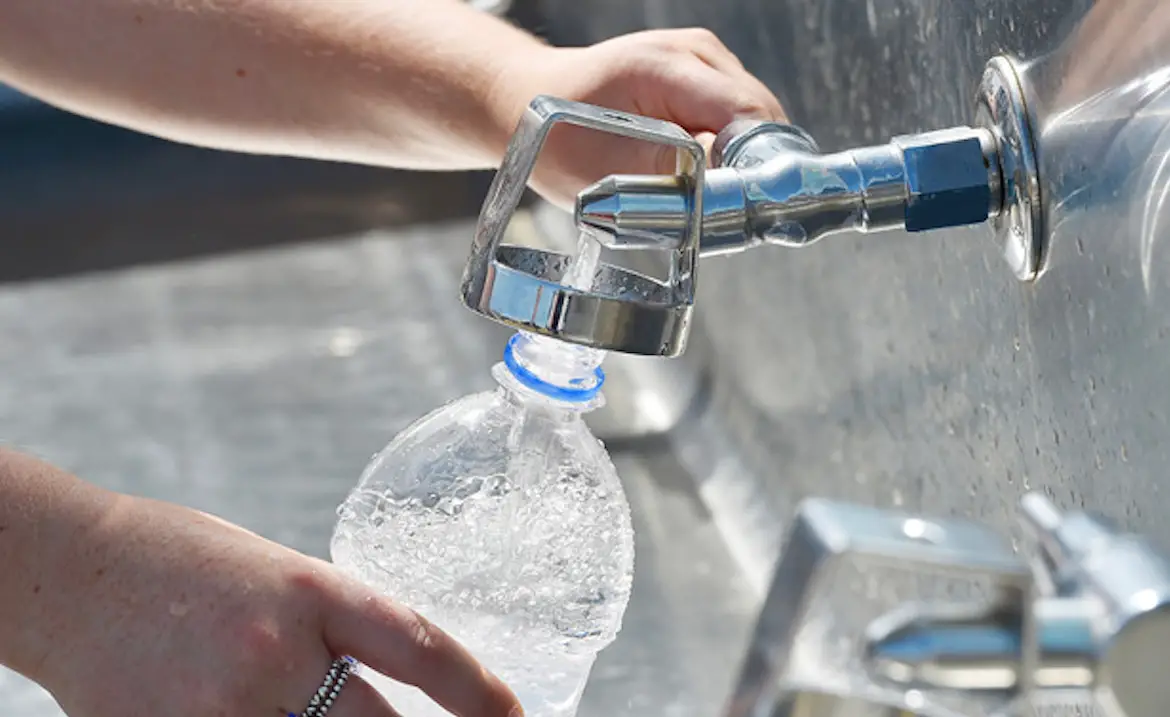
<point>784,675</point>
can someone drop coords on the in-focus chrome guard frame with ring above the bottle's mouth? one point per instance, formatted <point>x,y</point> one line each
<point>622,311</point>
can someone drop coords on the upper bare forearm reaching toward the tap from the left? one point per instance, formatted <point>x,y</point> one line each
<point>391,82</point>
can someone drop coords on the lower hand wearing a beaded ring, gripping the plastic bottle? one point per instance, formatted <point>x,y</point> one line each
<point>185,616</point>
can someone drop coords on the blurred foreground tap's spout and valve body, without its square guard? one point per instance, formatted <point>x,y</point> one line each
<point>1100,624</point>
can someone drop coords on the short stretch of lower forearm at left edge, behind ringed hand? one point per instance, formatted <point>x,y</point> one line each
<point>45,557</point>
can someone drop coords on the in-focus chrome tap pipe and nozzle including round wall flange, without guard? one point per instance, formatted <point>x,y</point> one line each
<point>770,185</point>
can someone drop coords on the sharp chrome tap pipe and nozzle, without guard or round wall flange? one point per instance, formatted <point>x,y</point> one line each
<point>773,185</point>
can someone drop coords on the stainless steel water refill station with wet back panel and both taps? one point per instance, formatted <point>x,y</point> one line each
<point>942,294</point>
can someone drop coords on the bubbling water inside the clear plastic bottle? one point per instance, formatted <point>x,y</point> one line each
<point>538,622</point>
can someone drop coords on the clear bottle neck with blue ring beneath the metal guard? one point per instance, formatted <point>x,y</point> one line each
<point>556,371</point>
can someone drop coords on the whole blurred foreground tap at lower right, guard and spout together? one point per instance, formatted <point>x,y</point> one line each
<point>1083,618</point>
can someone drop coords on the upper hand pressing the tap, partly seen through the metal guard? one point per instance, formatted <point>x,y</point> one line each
<point>686,77</point>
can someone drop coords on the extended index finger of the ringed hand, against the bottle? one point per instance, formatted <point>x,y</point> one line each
<point>404,646</point>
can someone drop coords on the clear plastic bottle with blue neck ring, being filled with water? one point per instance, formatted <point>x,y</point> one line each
<point>500,518</point>
